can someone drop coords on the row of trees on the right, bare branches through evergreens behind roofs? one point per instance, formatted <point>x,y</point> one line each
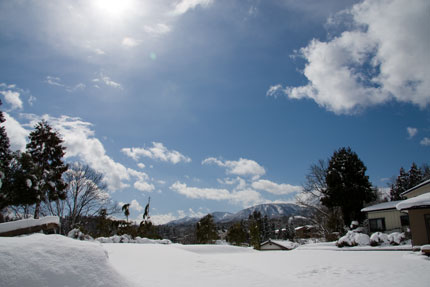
<point>337,189</point>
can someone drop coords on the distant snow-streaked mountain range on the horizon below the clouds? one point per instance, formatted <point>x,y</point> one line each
<point>272,210</point>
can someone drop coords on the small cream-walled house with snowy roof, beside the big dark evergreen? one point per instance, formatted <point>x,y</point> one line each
<point>385,217</point>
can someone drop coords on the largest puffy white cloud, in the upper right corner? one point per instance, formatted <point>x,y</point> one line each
<point>384,57</point>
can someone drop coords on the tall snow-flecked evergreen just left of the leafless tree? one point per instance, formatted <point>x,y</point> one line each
<point>46,151</point>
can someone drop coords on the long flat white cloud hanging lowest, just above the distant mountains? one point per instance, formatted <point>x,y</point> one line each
<point>245,197</point>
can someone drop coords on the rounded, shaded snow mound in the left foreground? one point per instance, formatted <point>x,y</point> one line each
<point>55,260</point>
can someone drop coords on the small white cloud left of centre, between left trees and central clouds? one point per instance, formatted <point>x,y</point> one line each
<point>157,151</point>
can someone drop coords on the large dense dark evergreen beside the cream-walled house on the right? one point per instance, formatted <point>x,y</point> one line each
<point>348,186</point>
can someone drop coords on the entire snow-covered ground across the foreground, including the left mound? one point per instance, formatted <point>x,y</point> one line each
<point>52,260</point>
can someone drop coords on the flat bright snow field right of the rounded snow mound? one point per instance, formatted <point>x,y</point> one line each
<point>212,265</point>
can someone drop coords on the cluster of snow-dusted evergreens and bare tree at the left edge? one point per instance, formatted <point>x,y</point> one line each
<point>38,182</point>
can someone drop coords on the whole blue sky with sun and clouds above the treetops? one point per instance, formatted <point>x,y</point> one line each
<point>213,105</point>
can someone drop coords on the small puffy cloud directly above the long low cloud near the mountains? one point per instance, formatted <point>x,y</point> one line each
<point>241,167</point>
